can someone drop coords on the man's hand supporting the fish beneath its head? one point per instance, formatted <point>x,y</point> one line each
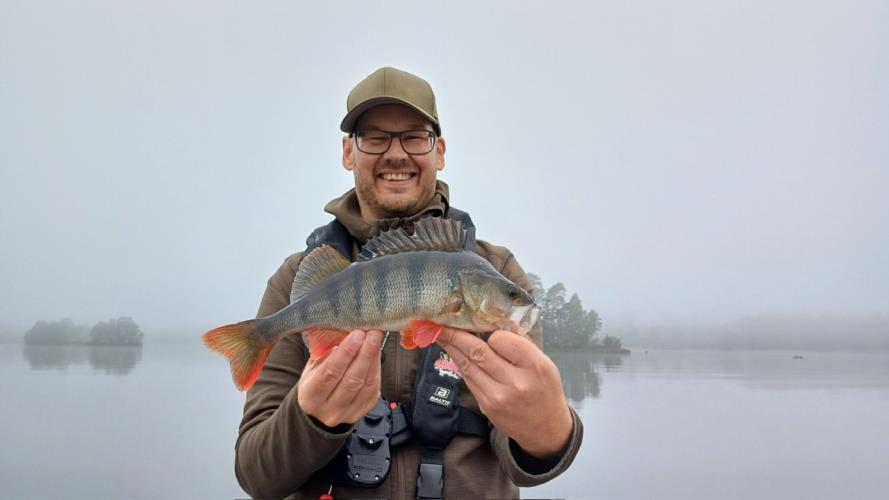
<point>517,387</point>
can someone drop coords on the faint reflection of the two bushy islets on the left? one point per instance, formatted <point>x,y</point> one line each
<point>112,360</point>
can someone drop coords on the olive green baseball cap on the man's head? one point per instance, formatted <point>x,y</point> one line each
<point>390,86</point>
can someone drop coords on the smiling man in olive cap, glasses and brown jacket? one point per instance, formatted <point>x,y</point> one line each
<point>300,413</point>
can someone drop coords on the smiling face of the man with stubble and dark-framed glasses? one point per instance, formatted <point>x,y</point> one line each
<point>393,184</point>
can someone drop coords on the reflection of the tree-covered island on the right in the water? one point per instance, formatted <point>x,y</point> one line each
<point>580,372</point>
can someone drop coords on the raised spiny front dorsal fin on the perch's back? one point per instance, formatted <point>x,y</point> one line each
<point>431,233</point>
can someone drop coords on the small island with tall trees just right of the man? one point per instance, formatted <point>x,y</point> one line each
<point>565,323</point>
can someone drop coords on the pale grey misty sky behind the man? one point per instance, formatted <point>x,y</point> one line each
<point>669,161</point>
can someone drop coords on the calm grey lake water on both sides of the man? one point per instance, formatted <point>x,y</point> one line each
<point>161,422</point>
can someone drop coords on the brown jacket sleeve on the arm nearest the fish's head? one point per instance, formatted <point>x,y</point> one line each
<point>523,469</point>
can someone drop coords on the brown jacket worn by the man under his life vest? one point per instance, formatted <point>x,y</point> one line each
<point>279,448</point>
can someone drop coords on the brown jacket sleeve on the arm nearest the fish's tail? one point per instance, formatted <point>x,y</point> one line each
<point>279,447</point>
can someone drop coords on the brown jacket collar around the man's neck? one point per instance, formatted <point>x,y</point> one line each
<point>346,210</point>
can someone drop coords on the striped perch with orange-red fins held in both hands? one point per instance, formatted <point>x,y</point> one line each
<point>416,284</point>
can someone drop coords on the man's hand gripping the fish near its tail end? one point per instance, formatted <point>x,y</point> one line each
<point>344,386</point>
